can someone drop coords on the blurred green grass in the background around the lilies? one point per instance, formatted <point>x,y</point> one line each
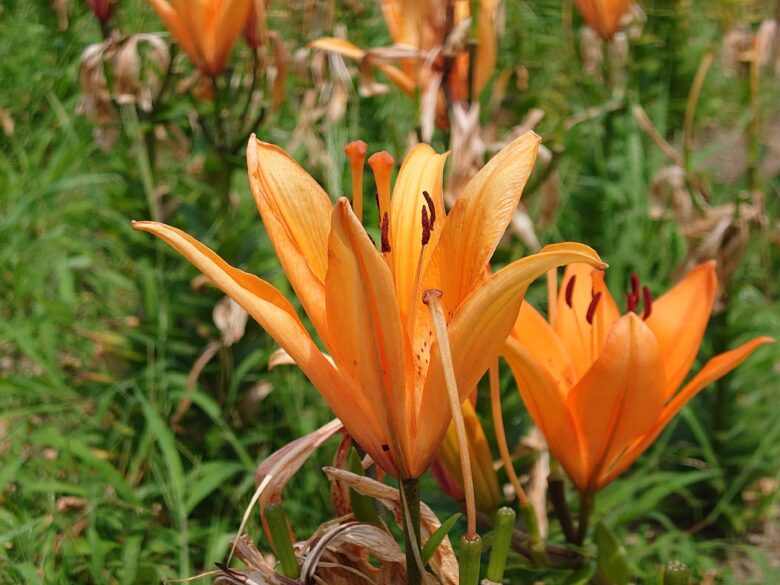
<point>100,327</point>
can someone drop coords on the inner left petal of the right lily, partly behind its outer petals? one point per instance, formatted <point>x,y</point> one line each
<point>535,334</point>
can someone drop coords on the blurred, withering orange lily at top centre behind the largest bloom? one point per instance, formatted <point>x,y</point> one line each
<point>437,31</point>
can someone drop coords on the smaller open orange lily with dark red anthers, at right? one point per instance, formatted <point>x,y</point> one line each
<point>602,387</point>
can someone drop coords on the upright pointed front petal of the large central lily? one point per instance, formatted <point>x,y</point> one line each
<point>367,340</point>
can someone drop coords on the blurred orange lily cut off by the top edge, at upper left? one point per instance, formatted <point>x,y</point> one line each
<point>207,30</point>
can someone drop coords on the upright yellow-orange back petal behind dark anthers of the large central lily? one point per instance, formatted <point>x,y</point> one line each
<point>422,170</point>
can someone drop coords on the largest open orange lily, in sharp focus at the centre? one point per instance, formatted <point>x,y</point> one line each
<point>383,376</point>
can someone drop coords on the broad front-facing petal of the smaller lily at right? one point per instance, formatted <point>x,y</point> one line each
<point>620,397</point>
